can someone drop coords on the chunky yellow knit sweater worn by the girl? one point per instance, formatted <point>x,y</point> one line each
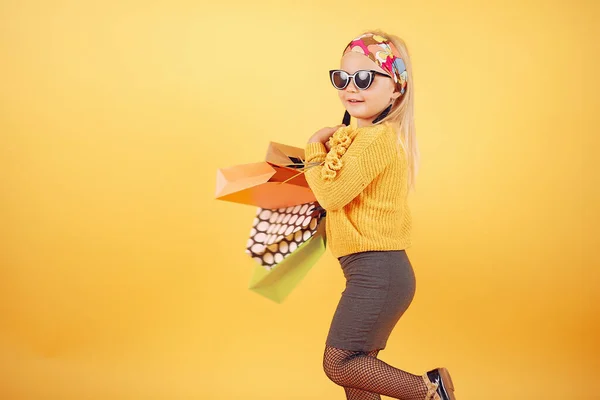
<point>362,184</point>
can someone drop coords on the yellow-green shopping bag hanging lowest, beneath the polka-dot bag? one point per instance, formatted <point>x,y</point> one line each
<point>277,282</point>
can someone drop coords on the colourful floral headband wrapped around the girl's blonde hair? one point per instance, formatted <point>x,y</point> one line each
<point>383,52</point>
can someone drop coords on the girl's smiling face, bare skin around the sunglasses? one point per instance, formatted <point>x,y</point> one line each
<point>366,105</point>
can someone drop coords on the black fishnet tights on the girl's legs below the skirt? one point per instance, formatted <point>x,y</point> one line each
<point>365,377</point>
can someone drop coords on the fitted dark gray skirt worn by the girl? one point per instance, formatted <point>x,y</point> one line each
<point>380,285</point>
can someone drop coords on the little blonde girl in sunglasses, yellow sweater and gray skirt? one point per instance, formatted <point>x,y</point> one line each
<point>362,178</point>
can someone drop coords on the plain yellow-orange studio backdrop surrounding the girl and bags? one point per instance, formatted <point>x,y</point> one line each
<point>122,278</point>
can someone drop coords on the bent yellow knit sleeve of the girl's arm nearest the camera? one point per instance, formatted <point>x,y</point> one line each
<point>366,158</point>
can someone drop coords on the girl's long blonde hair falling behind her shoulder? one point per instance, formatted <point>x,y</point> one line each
<point>402,114</point>
